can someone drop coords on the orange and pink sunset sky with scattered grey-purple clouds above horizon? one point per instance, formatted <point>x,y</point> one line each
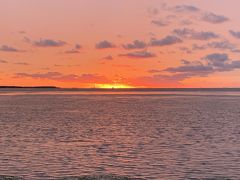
<point>125,43</point>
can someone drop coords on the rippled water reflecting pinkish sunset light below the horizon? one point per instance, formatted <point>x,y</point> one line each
<point>151,136</point>
